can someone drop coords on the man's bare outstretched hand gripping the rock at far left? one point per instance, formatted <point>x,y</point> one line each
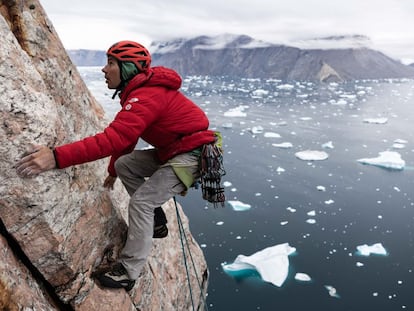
<point>35,161</point>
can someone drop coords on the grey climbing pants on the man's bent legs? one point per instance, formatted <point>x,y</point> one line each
<point>149,184</point>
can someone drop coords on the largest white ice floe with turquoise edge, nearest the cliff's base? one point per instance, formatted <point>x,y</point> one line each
<point>271,263</point>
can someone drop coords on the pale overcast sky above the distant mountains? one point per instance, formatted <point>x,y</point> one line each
<point>96,24</point>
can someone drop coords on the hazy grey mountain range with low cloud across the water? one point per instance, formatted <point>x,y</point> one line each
<point>244,56</point>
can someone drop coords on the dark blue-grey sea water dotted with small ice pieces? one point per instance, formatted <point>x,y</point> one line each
<point>325,209</point>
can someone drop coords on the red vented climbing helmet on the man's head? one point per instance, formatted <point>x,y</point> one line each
<point>131,51</point>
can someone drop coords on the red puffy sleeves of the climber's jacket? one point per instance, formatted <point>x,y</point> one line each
<point>119,138</point>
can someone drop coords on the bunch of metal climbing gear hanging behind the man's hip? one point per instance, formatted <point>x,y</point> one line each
<point>211,171</point>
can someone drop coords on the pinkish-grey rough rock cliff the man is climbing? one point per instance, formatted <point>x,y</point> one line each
<point>57,229</point>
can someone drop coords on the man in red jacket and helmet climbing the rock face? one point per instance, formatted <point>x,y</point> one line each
<point>152,108</point>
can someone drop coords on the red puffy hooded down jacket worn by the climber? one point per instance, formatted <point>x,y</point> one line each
<point>153,109</point>
